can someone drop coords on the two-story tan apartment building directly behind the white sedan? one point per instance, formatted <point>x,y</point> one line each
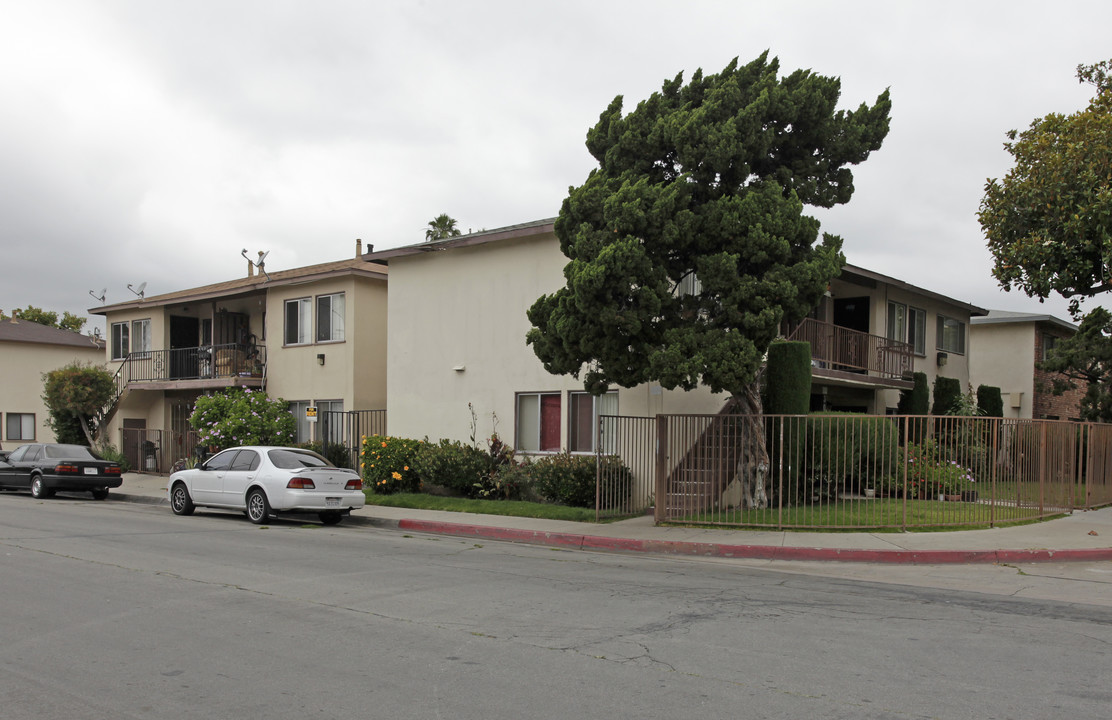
<point>315,337</point>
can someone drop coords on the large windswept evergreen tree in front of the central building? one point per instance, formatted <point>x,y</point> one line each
<point>689,246</point>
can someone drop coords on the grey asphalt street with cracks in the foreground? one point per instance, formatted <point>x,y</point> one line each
<point>126,611</point>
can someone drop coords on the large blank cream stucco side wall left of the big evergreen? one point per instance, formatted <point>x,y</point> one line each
<point>465,309</point>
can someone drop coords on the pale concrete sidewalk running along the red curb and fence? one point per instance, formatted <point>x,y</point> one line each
<point>1081,537</point>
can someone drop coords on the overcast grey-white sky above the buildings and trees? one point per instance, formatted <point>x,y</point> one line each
<point>151,142</point>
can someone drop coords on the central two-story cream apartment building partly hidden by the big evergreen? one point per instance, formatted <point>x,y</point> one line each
<point>458,319</point>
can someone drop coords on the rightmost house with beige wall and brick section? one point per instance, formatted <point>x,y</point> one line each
<point>1007,348</point>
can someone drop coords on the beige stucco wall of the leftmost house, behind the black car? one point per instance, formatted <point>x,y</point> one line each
<point>22,369</point>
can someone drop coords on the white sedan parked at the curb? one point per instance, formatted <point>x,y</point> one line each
<point>262,481</point>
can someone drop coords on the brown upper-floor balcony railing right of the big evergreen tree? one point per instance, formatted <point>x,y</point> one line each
<point>841,349</point>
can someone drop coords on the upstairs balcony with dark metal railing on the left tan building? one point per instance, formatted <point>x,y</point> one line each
<point>211,367</point>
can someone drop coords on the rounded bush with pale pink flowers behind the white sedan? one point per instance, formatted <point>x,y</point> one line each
<point>243,418</point>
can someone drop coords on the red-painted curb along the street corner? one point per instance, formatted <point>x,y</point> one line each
<point>756,553</point>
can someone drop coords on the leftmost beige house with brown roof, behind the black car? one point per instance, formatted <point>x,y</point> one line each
<point>27,351</point>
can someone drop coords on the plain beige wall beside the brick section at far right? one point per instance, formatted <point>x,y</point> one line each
<point>1004,357</point>
